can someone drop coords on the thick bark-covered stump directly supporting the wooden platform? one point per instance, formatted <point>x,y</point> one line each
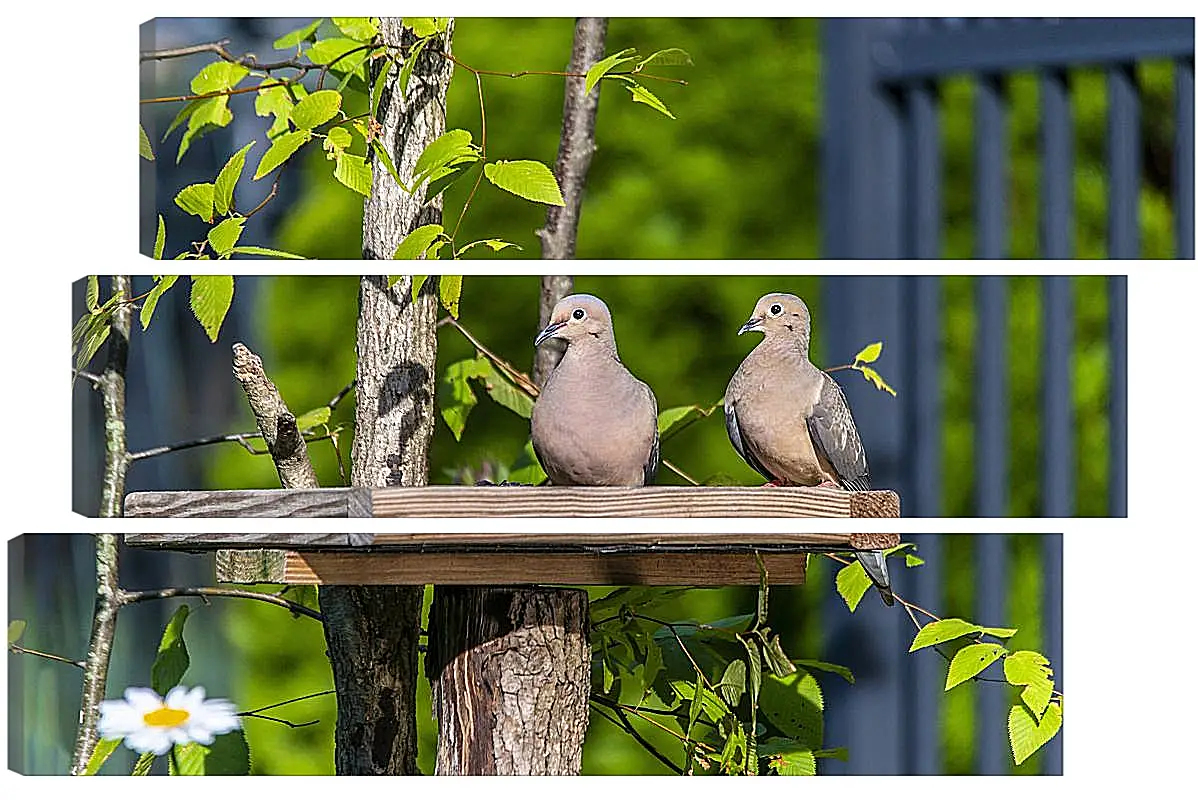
<point>511,672</point>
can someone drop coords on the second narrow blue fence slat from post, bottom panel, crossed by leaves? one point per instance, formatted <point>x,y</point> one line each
<point>993,587</point>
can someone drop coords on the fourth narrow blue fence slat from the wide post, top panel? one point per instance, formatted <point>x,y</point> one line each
<point>1123,162</point>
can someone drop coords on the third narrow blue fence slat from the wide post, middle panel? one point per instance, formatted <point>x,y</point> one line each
<point>1057,409</point>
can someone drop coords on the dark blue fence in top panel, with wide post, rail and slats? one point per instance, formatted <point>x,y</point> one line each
<point>881,173</point>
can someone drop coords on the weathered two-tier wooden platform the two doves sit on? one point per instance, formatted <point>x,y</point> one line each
<point>494,557</point>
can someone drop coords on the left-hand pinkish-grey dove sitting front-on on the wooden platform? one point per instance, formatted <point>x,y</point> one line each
<point>595,425</point>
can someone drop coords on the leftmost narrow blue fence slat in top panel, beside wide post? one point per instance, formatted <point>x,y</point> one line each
<point>923,147</point>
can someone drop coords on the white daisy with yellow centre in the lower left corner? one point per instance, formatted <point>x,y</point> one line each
<point>152,724</point>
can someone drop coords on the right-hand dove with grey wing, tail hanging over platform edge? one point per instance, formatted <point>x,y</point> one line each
<point>789,419</point>
